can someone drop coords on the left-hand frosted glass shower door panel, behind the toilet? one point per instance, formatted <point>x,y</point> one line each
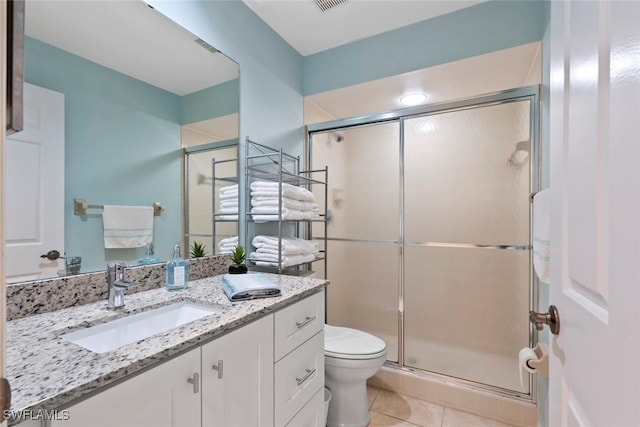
<point>363,227</point>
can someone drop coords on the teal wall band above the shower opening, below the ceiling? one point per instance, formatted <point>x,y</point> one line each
<point>476,30</point>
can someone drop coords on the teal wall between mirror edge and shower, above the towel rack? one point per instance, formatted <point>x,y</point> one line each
<point>271,102</point>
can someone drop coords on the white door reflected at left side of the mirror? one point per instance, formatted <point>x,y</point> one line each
<point>34,188</point>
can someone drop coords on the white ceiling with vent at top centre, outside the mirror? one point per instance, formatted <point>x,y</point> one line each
<point>309,30</point>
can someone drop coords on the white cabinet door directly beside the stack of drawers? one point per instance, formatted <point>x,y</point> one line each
<point>237,377</point>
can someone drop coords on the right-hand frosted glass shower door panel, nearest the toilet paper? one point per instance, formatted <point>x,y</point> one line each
<point>466,242</point>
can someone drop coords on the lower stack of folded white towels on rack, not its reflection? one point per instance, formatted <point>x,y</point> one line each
<point>291,250</point>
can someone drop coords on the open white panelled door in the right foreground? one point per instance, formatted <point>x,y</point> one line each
<point>595,199</point>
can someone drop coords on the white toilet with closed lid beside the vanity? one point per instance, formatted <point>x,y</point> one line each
<point>350,357</point>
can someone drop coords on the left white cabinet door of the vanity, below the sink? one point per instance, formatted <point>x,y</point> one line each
<point>160,397</point>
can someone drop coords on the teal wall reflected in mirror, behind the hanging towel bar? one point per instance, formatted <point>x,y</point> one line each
<point>122,146</point>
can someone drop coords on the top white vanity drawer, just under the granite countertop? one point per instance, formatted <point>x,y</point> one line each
<point>297,323</point>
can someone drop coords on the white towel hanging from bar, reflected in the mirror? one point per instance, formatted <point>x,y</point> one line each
<point>127,226</point>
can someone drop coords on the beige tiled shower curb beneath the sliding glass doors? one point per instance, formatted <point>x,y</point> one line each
<point>504,410</point>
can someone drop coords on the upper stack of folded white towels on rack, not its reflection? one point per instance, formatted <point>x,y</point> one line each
<point>297,203</point>
